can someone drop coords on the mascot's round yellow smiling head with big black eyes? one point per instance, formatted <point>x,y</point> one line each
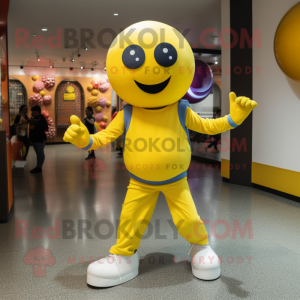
<point>150,64</point>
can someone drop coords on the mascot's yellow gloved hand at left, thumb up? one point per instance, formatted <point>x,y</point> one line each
<point>77,134</point>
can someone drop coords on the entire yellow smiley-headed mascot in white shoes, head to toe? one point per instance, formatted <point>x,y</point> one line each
<point>151,66</point>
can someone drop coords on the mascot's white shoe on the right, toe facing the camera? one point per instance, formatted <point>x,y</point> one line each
<point>205,262</point>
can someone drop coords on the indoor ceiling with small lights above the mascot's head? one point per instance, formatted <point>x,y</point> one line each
<point>32,15</point>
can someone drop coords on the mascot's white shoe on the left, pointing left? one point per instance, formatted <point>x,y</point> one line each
<point>113,270</point>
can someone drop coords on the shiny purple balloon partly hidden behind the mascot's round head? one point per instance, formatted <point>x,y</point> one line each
<point>201,84</point>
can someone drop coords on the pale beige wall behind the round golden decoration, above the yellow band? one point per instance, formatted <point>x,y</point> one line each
<point>276,122</point>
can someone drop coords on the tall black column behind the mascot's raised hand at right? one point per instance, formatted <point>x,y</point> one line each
<point>241,84</point>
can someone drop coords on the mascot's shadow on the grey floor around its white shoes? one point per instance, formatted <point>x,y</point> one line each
<point>156,270</point>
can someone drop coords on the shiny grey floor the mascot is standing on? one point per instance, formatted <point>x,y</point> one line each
<point>65,191</point>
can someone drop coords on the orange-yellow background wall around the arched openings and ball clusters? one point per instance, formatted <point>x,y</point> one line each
<point>84,81</point>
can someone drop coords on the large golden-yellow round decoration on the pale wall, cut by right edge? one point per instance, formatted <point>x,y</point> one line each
<point>287,43</point>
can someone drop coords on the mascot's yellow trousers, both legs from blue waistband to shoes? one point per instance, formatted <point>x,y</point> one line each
<point>138,208</point>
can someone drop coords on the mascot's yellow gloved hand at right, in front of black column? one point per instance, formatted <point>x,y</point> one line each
<point>240,108</point>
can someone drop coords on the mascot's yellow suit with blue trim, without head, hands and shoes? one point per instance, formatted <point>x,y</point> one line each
<point>157,154</point>
